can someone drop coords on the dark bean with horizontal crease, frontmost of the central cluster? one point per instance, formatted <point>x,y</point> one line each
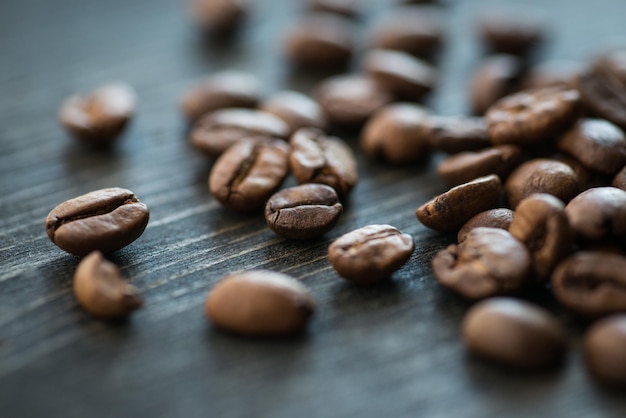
<point>303,212</point>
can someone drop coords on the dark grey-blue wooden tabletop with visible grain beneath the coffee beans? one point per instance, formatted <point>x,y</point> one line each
<point>386,350</point>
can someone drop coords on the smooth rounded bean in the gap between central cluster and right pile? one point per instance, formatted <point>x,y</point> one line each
<point>398,134</point>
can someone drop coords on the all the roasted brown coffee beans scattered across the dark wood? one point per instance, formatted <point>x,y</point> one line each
<point>538,179</point>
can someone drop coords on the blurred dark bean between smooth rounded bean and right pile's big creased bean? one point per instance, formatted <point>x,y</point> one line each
<point>454,134</point>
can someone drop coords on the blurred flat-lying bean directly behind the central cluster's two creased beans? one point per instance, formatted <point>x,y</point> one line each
<point>215,132</point>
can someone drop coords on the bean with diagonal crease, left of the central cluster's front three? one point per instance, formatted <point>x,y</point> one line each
<point>249,172</point>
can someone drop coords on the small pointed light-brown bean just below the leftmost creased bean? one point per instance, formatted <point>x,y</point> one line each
<point>102,291</point>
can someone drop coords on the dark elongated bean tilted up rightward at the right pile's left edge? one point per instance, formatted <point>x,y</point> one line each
<point>450,210</point>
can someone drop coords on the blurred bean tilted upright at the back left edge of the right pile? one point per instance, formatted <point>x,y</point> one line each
<point>496,77</point>
